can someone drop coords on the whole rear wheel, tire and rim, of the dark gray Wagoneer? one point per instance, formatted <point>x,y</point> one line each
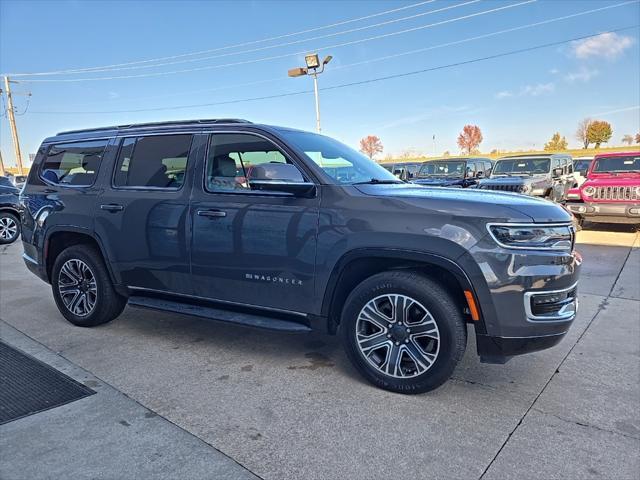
<point>82,287</point>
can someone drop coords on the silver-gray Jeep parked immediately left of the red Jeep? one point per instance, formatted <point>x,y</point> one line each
<point>546,176</point>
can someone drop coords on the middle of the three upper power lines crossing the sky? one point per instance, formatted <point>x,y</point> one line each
<point>294,42</point>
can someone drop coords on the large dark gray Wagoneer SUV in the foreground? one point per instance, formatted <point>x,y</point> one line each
<point>245,223</point>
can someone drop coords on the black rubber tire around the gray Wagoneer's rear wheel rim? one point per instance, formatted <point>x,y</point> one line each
<point>107,304</point>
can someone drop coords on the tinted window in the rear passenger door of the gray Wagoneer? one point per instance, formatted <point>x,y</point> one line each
<point>152,162</point>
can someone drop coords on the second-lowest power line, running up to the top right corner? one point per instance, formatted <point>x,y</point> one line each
<point>397,55</point>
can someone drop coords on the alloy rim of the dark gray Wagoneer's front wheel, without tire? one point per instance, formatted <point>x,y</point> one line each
<point>398,336</point>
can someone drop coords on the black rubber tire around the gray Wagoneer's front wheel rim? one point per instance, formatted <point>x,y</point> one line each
<point>443,310</point>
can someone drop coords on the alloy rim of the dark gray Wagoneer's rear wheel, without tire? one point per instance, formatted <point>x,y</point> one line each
<point>77,287</point>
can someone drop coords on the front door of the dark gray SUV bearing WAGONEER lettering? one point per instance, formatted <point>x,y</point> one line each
<point>251,247</point>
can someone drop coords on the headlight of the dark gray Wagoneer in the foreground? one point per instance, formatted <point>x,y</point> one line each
<point>546,237</point>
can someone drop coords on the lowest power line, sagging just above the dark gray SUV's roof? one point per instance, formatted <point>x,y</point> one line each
<point>351,84</point>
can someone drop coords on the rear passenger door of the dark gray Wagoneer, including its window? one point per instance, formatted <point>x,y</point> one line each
<point>142,215</point>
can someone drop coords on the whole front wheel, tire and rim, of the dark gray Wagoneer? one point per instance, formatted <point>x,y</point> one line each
<point>403,332</point>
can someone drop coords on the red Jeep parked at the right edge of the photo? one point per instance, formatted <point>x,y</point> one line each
<point>611,193</point>
